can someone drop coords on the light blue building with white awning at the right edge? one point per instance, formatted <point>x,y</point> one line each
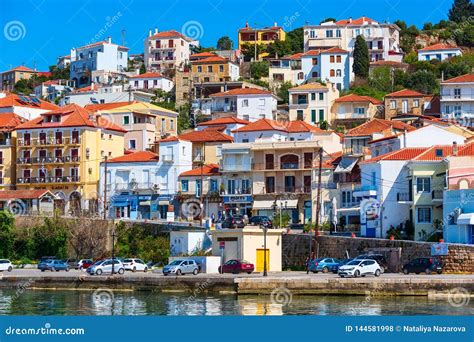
<point>458,216</point>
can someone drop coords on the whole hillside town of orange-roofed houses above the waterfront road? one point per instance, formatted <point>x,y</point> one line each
<point>340,127</point>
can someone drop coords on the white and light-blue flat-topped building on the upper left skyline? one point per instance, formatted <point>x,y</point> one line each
<point>101,56</point>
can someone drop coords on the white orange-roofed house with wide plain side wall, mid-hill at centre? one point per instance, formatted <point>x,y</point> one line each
<point>248,104</point>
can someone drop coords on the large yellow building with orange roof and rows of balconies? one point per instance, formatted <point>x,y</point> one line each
<point>61,151</point>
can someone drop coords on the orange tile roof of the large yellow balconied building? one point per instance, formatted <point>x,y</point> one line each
<point>71,116</point>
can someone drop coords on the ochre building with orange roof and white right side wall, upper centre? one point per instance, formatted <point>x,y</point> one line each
<point>214,69</point>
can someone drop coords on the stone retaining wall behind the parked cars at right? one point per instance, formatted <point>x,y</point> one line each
<point>296,250</point>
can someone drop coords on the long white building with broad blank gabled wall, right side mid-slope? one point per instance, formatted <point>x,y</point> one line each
<point>422,137</point>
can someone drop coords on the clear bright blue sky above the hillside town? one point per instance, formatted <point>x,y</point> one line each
<point>35,32</point>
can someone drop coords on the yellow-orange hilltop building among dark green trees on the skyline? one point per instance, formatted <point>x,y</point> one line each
<point>263,36</point>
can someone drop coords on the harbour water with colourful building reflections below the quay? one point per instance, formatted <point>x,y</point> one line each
<point>57,302</point>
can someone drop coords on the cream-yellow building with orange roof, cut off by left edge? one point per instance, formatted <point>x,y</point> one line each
<point>8,121</point>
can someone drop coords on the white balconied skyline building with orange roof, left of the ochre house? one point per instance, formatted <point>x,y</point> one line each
<point>167,50</point>
